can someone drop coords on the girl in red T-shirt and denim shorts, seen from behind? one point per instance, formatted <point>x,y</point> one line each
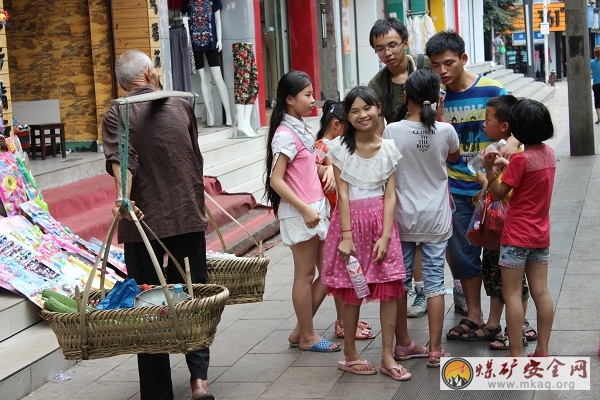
<point>526,236</point>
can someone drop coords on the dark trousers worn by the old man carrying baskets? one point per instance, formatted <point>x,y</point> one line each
<point>155,369</point>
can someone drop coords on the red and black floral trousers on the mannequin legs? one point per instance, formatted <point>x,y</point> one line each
<point>245,78</point>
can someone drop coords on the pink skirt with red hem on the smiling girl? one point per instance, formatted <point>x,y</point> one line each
<point>384,277</point>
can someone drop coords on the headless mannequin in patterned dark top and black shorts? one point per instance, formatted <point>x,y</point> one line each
<point>206,43</point>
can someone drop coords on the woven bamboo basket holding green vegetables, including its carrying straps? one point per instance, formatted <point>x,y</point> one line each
<point>174,328</point>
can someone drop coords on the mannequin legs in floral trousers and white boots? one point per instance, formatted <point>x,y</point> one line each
<point>245,86</point>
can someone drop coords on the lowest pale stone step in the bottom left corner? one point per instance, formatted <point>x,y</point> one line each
<point>28,360</point>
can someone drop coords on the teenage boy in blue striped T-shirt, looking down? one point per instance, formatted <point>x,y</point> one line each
<point>464,105</point>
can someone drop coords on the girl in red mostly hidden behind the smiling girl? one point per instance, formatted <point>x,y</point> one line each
<point>333,122</point>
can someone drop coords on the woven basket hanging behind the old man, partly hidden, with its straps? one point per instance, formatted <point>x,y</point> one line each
<point>244,277</point>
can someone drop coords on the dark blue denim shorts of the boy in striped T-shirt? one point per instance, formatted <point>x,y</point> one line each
<point>465,259</point>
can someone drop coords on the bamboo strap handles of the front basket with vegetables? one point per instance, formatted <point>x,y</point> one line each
<point>99,258</point>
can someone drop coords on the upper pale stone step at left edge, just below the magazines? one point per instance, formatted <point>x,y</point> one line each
<point>16,314</point>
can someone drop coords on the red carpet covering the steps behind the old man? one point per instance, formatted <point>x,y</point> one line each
<point>85,208</point>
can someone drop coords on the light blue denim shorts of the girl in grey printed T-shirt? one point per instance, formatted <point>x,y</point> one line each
<point>434,259</point>
